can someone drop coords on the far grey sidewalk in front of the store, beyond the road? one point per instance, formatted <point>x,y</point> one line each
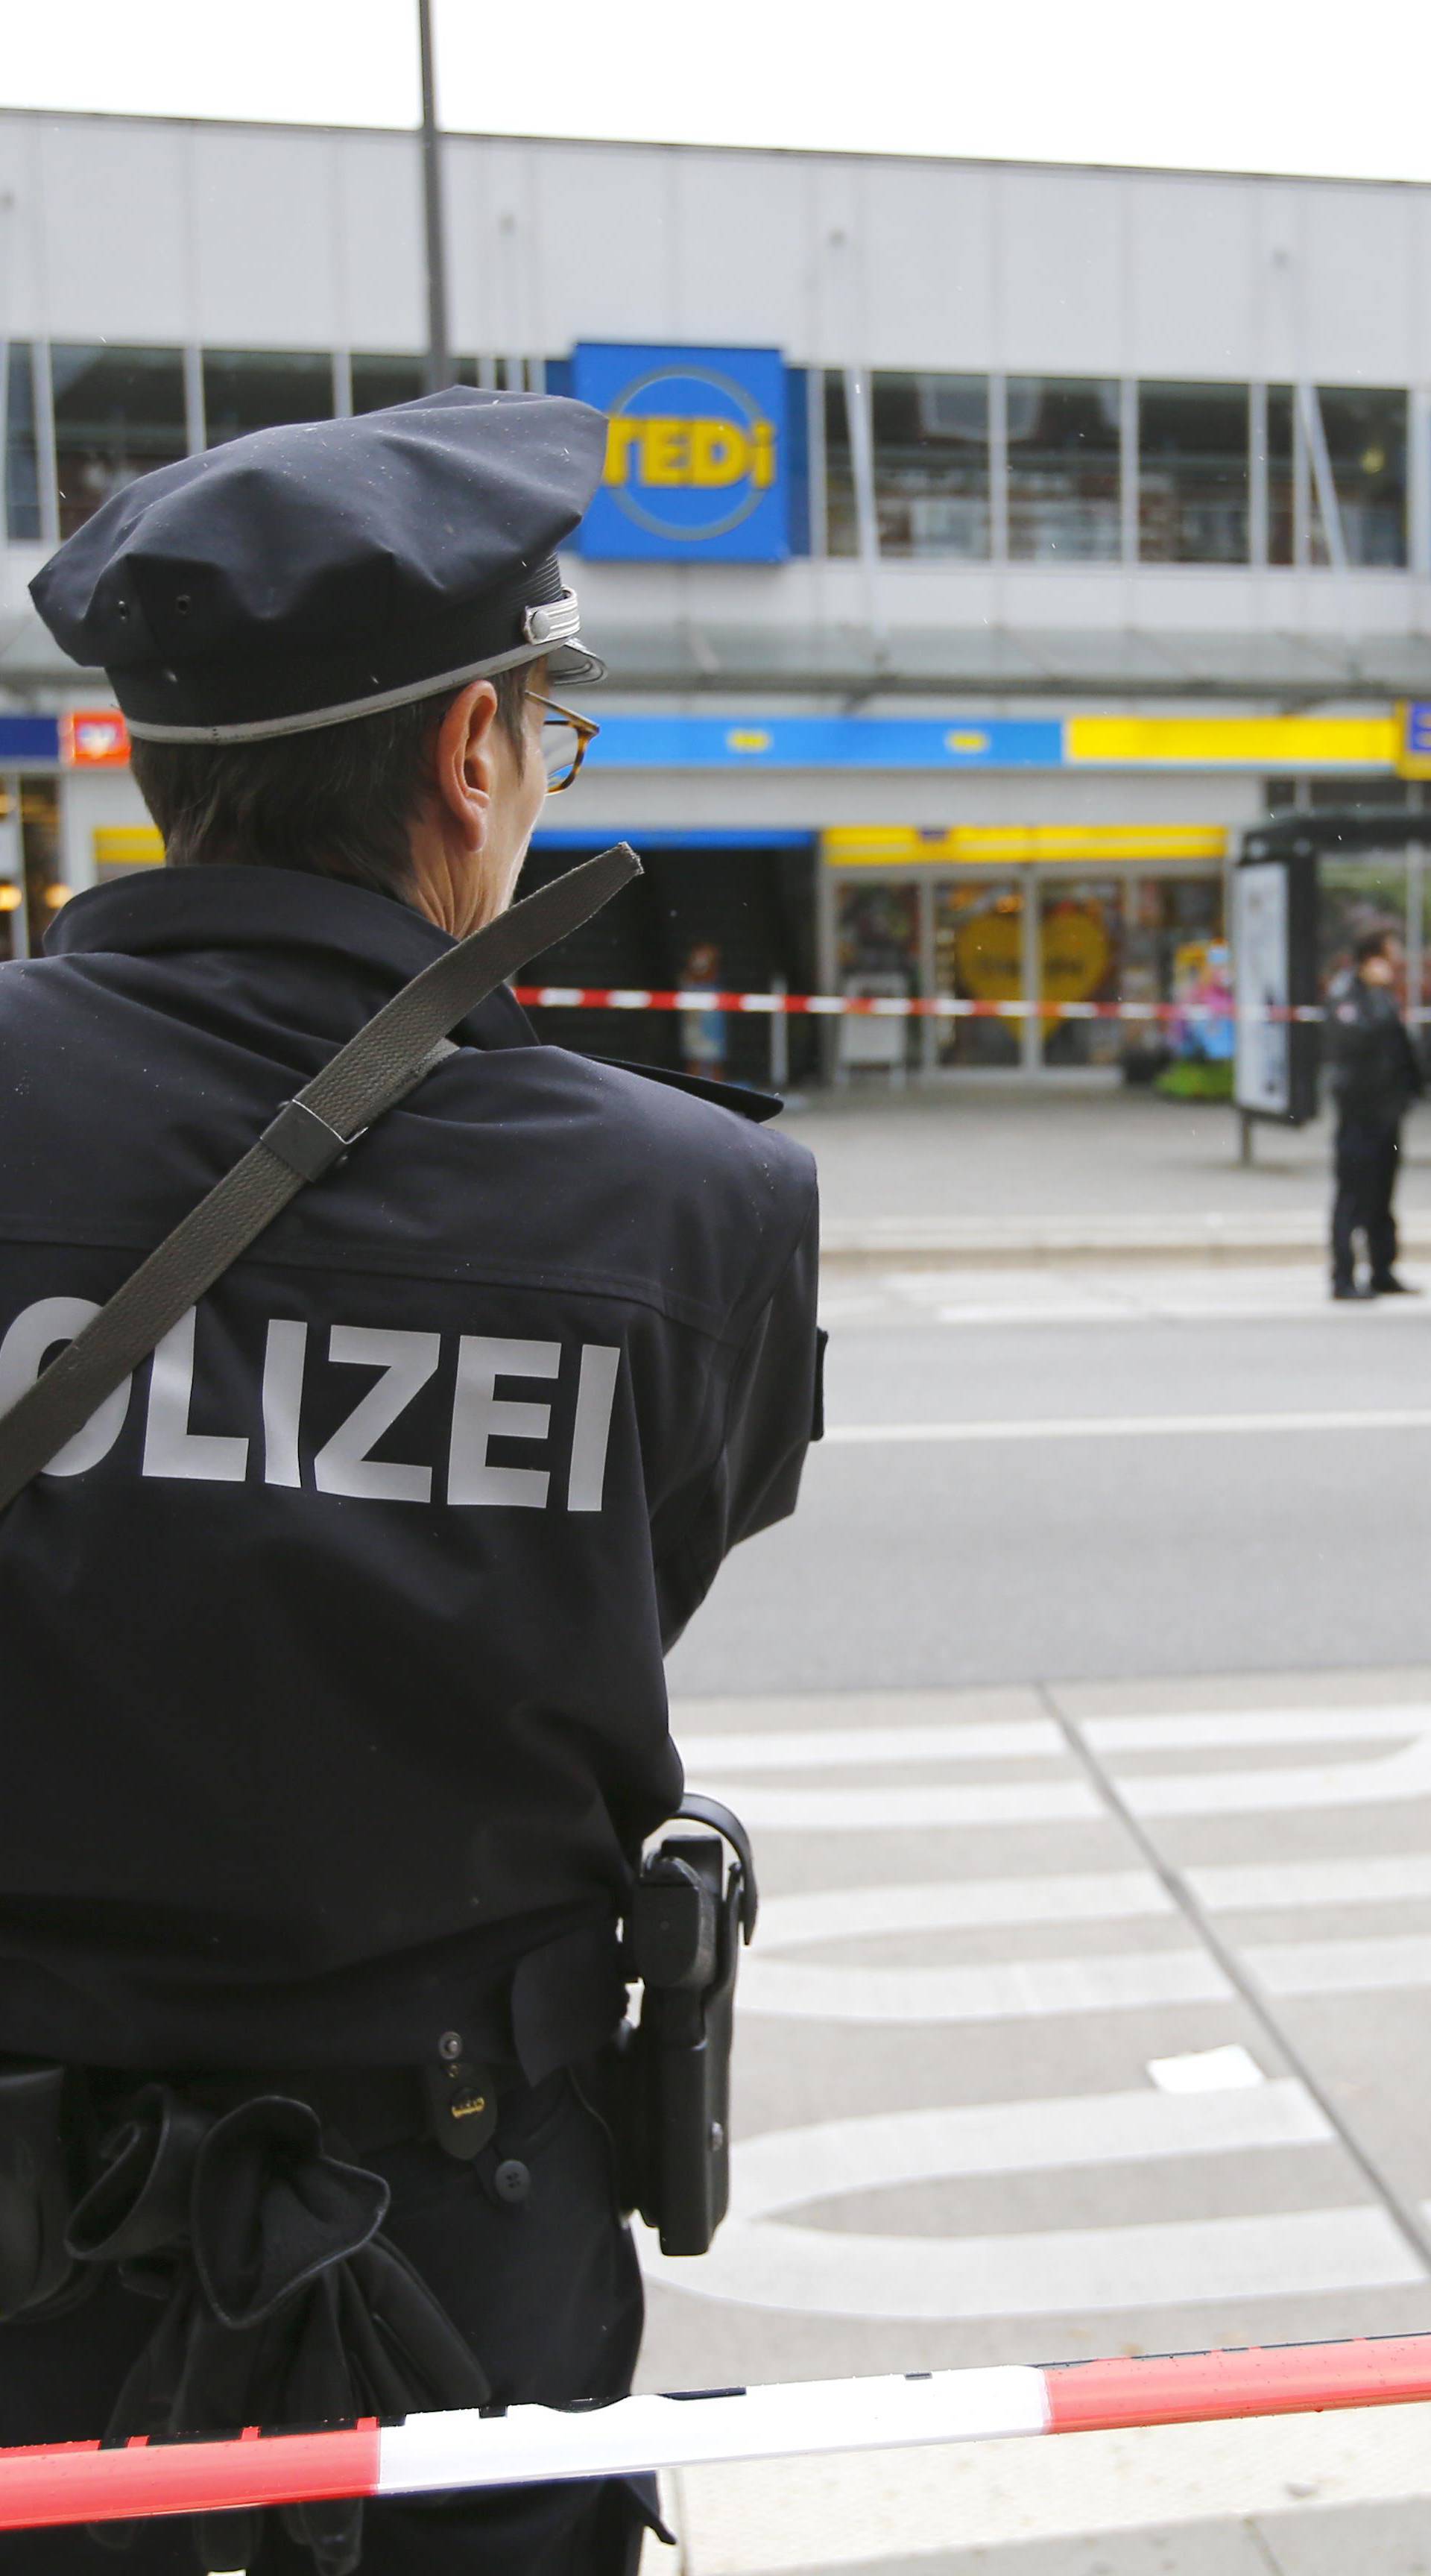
<point>997,1173</point>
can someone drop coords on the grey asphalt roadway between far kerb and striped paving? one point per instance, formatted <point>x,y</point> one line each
<point>1087,1557</point>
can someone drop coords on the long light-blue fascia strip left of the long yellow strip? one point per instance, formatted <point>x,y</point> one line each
<point>827,743</point>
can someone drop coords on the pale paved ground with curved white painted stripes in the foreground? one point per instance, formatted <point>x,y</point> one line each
<point>1002,2096</point>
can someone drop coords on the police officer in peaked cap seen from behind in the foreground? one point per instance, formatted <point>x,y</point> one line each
<point>333,1645</point>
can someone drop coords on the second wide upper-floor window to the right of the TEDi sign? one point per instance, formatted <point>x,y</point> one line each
<point>1064,470</point>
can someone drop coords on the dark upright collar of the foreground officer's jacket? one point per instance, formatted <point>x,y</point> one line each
<point>171,911</point>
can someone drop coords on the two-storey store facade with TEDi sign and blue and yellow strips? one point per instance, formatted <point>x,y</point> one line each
<point>961,609</point>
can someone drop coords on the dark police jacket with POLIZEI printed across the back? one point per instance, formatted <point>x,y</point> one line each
<point>333,1645</point>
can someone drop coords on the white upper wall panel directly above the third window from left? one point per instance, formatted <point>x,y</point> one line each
<point>266,236</point>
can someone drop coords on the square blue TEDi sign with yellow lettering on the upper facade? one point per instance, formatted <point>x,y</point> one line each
<point>696,455</point>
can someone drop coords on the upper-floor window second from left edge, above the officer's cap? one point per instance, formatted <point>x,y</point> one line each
<point>117,413</point>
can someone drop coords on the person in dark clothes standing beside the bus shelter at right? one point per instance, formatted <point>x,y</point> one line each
<point>1376,1075</point>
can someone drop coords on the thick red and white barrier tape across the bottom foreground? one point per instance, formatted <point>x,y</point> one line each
<point>78,2482</point>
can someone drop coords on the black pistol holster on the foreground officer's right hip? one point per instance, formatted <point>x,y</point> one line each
<point>683,1938</point>
